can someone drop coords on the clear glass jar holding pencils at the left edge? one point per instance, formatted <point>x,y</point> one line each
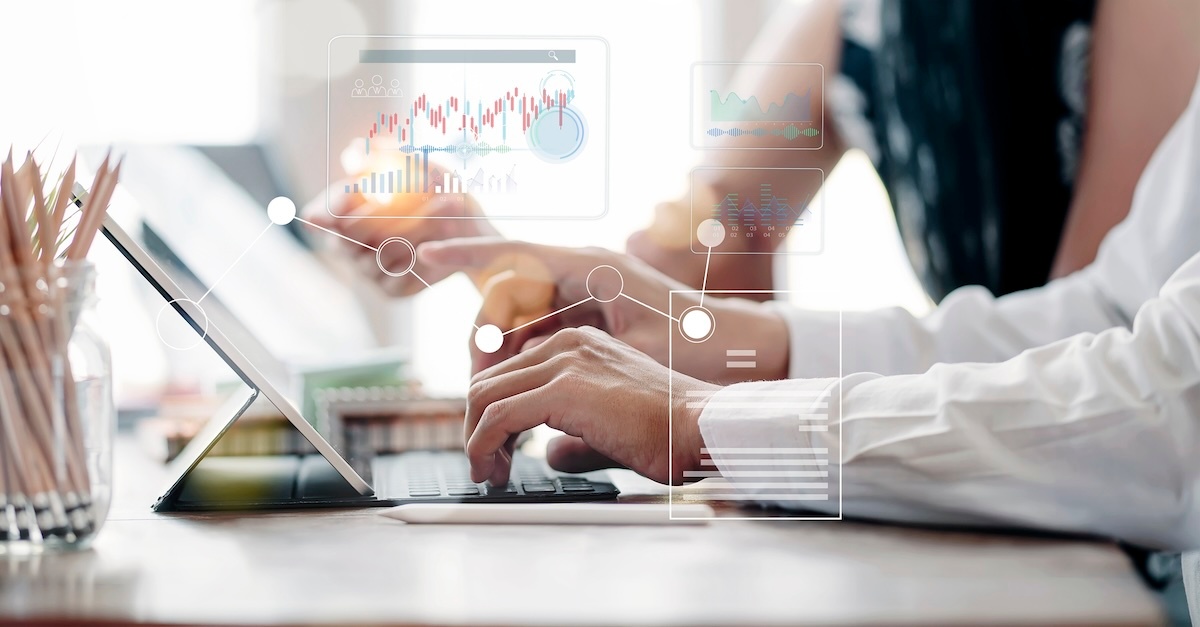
<point>57,414</point>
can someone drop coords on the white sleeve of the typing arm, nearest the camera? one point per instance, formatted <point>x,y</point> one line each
<point>1094,434</point>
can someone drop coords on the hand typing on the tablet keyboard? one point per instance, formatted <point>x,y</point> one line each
<point>614,403</point>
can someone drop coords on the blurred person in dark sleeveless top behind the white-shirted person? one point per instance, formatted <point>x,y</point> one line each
<point>1009,135</point>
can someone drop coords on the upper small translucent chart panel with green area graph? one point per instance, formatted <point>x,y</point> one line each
<point>788,116</point>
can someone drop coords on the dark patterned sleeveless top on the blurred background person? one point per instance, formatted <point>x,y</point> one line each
<point>974,115</point>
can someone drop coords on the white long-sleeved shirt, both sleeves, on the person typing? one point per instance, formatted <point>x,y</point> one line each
<point>1075,407</point>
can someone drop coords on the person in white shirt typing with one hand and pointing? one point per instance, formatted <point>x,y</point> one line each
<point>1072,408</point>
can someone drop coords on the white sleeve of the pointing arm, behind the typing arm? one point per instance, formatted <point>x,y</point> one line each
<point>1135,261</point>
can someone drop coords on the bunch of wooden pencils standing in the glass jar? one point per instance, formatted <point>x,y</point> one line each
<point>44,473</point>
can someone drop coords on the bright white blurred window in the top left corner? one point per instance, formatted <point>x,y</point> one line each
<point>130,71</point>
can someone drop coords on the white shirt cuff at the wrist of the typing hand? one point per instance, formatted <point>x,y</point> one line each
<point>770,441</point>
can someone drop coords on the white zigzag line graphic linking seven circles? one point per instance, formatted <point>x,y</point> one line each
<point>695,324</point>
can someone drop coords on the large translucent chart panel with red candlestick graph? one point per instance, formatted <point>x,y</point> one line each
<point>520,124</point>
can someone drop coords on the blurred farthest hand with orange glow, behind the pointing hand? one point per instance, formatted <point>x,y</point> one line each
<point>418,218</point>
